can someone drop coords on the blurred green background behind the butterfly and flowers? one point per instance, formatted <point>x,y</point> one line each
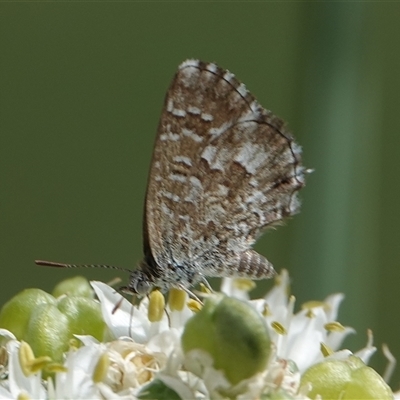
<point>82,87</point>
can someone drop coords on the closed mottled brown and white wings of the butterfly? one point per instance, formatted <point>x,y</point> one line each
<point>223,169</point>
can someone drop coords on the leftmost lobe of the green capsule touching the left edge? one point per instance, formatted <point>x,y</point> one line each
<point>15,314</point>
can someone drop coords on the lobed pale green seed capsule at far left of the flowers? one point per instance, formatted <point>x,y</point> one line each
<point>48,324</point>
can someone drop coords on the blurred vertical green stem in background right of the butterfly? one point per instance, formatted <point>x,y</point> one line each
<point>340,117</point>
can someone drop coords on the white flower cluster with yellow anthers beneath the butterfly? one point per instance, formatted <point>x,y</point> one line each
<point>140,352</point>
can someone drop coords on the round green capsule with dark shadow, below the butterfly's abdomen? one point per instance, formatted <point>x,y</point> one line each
<point>233,333</point>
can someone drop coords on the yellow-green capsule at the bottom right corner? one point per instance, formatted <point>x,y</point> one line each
<point>345,379</point>
